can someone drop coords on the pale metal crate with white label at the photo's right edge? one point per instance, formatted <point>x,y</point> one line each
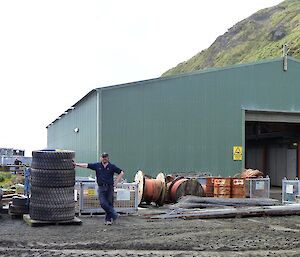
<point>290,190</point>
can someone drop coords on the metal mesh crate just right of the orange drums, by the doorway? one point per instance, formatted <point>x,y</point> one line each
<point>258,187</point>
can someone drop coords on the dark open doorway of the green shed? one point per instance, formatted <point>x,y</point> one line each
<point>273,145</point>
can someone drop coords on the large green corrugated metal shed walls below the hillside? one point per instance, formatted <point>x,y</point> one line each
<point>184,123</point>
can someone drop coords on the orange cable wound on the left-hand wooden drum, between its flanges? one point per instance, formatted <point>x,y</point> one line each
<point>152,190</point>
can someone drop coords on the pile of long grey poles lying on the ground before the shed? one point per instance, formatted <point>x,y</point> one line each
<point>210,207</point>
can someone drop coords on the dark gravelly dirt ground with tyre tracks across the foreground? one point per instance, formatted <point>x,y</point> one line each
<point>136,236</point>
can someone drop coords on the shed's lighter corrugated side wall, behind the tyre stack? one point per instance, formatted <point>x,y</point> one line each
<point>61,134</point>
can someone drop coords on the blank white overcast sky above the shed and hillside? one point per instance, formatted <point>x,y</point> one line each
<point>54,52</point>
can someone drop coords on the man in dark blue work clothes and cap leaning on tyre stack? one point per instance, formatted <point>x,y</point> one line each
<point>105,180</point>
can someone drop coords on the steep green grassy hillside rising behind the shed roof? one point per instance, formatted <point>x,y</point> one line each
<point>258,37</point>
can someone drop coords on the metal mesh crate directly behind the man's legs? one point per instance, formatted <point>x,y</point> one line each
<point>125,198</point>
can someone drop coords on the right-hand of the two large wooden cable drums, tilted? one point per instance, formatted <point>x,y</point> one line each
<point>184,186</point>
